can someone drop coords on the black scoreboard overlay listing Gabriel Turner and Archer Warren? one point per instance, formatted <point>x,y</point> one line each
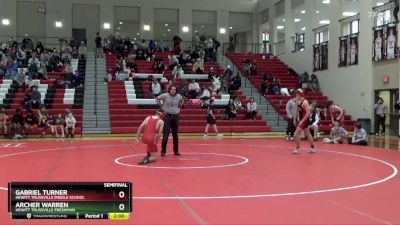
<point>70,200</point>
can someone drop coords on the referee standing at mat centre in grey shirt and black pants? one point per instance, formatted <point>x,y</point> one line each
<point>171,103</point>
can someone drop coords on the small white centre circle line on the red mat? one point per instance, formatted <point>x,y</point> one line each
<point>245,160</point>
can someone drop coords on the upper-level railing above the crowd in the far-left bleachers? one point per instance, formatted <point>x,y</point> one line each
<point>48,42</point>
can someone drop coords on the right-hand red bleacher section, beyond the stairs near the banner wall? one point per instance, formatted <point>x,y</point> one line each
<point>279,70</point>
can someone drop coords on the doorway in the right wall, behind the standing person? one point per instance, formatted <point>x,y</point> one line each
<point>390,97</point>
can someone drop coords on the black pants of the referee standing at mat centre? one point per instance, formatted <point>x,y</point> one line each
<point>171,122</point>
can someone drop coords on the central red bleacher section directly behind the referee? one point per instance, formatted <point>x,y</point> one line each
<point>126,118</point>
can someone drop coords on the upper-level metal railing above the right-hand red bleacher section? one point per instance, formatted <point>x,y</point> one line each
<point>262,48</point>
